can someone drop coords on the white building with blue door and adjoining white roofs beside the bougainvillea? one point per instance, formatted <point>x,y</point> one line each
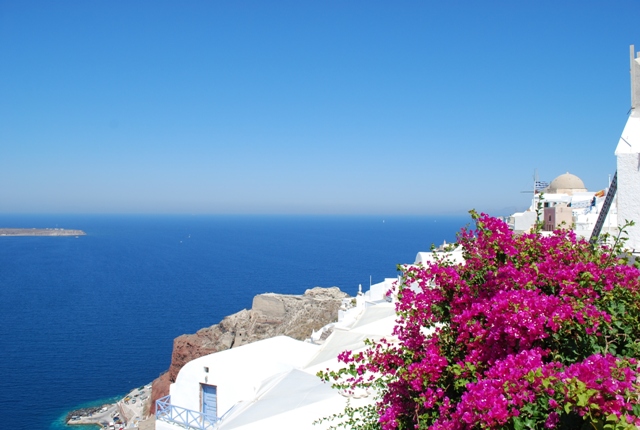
<point>272,383</point>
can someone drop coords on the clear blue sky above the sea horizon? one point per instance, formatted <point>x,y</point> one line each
<point>306,107</point>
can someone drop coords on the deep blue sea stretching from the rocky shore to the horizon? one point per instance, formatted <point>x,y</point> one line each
<point>86,319</point>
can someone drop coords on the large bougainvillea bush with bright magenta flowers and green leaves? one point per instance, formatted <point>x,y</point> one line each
<point>532,332</point>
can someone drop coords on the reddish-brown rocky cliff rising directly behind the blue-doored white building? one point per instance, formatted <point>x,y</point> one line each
<point>270,315</point>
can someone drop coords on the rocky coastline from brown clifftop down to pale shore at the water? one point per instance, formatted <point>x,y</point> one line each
<point>297,316</point>
